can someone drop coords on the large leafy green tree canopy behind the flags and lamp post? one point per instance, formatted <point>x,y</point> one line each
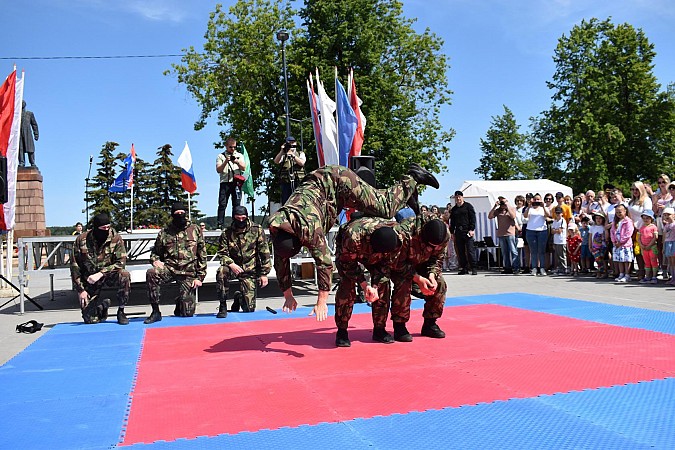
<point>401,77</point>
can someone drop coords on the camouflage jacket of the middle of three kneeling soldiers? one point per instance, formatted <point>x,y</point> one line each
<point>182,251</point>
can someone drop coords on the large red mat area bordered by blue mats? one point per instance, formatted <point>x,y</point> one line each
<point>227,378</point>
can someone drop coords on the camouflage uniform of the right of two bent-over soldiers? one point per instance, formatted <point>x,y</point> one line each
<point>424,260</point>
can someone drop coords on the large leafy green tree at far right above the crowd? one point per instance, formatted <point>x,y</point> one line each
<point>608,120</point>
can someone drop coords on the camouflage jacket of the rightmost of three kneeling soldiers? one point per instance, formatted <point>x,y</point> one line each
<point>247,248</point>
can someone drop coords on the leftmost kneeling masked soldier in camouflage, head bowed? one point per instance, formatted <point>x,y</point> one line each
<point>99,258</point>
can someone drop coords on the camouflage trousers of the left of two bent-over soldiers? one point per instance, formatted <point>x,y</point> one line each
<point>346,295</point>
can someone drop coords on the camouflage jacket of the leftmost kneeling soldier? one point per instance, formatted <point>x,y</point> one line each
<point>89,259</point>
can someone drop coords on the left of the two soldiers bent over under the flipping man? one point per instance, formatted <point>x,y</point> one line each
<point>367,243</point>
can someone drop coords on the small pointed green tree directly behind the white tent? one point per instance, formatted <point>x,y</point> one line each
<point>503,150</point>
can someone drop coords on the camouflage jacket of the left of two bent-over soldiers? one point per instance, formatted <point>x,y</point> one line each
<point>354,253</point>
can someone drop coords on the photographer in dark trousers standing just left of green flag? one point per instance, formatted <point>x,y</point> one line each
<point>231,165</point>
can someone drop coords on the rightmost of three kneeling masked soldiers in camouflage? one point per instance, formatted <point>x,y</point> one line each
<point>245,254</point>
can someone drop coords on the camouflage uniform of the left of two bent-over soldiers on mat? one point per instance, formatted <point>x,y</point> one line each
<point>354,253</point>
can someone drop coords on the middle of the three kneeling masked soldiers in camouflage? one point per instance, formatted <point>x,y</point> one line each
<point>179,254</point>
